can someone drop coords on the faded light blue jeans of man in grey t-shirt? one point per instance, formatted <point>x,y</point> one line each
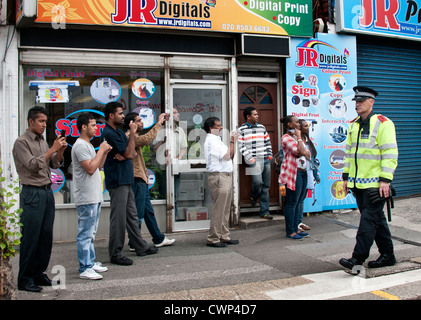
<point>88,217</point>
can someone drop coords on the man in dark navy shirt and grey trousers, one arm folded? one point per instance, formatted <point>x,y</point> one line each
<point>118,169</point>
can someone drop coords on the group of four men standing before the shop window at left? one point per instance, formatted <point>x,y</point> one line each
<point>125,178</point>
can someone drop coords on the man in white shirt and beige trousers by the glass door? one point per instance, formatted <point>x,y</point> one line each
<point>219,164</point>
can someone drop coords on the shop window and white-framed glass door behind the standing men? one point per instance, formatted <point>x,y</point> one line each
<point>176,169</point>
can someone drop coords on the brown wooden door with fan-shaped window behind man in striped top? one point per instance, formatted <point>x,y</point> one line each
<point>262,96</point>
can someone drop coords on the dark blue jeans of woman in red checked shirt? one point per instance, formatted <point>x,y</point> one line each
<point>294,203</point>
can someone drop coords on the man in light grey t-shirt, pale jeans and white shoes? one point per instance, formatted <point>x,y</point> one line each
<point>88,194</point>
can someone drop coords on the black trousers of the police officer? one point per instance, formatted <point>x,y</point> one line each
<point>373,227</point>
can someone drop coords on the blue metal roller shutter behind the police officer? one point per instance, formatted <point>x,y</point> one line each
<point>394,70</point>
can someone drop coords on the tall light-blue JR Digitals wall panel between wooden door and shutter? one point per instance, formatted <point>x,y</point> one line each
<point>321,73</point>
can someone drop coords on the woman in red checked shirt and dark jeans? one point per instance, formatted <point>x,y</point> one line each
<point>293,175</point>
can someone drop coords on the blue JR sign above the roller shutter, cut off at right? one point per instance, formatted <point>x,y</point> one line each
<point>394,18</point>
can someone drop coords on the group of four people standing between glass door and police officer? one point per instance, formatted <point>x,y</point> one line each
<point>298,171</point>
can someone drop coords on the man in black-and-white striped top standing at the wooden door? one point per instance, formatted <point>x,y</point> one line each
<point>254,144</point>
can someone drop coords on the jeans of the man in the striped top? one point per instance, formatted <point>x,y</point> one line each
<point>260,172</point>
